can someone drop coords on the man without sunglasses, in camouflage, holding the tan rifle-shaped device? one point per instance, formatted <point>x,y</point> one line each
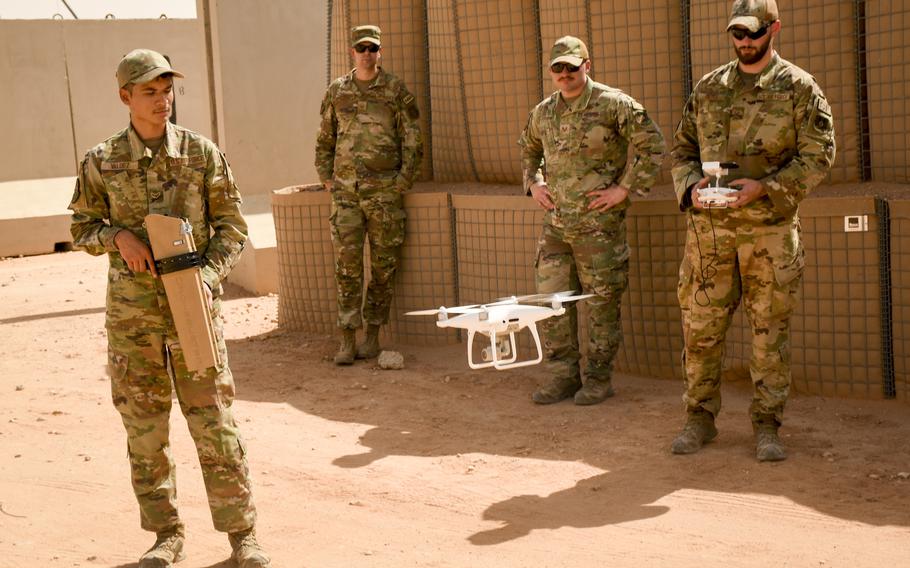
<point>153,166</point>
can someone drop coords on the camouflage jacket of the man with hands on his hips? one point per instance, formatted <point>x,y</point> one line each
<point>586,147</point>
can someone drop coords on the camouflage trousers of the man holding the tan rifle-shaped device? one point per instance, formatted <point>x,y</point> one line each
<point>145,367</point>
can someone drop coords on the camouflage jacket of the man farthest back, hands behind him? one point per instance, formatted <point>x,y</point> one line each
<point>369,138</point>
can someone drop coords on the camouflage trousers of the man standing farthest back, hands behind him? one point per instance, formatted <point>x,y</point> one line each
<point>359,214</point>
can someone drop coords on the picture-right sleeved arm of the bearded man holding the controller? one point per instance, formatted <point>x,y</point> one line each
<point>815,152</point>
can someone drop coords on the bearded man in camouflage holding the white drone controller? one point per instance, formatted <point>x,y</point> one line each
<point>771,118</point>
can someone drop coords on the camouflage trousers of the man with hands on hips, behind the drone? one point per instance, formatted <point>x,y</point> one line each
<point>597,263</point>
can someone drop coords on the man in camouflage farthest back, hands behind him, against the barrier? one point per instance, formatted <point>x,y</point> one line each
<point>368,152</point>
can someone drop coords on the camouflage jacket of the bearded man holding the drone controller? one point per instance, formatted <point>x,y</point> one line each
<point>779,132</point>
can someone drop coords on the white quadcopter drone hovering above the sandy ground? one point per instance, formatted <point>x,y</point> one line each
<point>503,316</point>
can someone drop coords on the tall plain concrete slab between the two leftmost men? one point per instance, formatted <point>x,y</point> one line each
<point>271,60</point>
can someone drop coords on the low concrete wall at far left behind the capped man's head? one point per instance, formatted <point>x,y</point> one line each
<point>59,95</point>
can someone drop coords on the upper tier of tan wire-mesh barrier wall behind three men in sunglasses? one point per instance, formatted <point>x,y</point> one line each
<point>484,63</point>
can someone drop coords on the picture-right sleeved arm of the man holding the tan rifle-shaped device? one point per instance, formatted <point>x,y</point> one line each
<point>229,230</point>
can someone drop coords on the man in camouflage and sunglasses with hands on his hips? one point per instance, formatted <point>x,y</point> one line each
<point>575,162</point>
